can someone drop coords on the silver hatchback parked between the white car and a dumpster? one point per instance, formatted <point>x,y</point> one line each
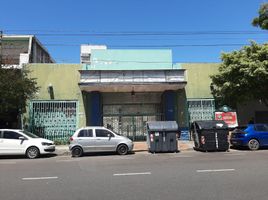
<point>98,139</point>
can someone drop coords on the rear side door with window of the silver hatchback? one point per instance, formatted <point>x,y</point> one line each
<point>86,139</point>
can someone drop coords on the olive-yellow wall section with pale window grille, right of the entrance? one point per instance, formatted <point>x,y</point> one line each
<point>200,102</point>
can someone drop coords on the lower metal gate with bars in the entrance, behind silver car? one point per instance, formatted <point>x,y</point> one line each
<point>130,119</point>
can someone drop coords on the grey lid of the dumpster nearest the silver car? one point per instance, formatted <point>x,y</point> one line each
<point>162,126</point>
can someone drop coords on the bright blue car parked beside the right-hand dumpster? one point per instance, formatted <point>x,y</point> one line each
<point>253,136</point>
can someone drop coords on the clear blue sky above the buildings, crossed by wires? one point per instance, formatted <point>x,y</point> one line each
<point>62,25</point>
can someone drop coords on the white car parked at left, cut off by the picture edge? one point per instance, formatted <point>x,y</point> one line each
<point>21,142</point>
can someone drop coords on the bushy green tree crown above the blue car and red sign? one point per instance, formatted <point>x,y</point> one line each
<point>243,76</point>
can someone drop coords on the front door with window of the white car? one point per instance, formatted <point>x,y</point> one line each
<point>11,144</point>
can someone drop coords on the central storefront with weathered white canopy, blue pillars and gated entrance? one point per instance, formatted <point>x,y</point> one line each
<point>124,100</point>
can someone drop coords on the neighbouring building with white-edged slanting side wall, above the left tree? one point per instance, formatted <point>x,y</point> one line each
<point>16,50</point>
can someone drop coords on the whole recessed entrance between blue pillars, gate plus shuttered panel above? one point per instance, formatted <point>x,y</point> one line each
<point>127,114</point>
